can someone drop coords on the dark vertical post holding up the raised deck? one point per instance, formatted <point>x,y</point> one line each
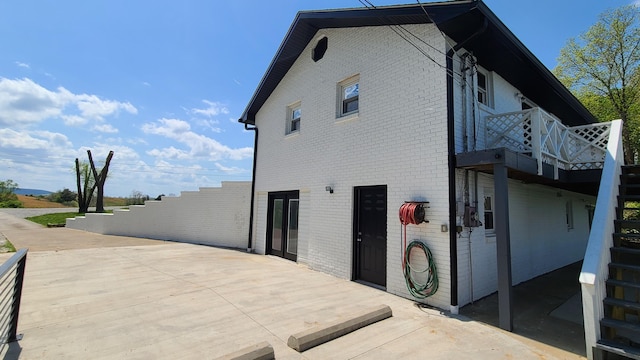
<point>503,246</point>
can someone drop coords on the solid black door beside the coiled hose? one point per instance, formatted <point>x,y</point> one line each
<point>370,234</point>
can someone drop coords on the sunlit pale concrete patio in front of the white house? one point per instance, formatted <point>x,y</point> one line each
<point>108,297</point>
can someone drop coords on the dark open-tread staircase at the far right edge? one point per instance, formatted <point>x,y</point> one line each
<point>620,327</point>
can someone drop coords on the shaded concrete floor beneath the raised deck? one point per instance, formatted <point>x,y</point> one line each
<point>547,309</point>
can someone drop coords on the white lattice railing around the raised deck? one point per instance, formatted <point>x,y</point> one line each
<point>547,140</point>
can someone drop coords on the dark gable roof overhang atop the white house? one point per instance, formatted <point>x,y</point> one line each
<point>494,45</point>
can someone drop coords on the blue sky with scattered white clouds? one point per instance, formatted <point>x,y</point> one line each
<point>162,83</point>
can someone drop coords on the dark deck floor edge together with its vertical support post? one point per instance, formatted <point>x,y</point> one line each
<point>506,164</point>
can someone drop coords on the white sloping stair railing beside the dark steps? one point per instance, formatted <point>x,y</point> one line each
<point>597,256</point>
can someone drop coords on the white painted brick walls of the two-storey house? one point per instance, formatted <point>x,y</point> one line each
<point>398,139</point>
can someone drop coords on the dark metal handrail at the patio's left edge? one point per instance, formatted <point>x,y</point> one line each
<point>12,269</point>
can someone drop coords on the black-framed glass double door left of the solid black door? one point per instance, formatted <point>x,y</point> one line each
<point>282,224</point>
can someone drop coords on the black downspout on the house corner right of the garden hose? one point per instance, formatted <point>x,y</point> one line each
<point>451,149</point>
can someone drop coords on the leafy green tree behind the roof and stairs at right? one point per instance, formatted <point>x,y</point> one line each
<point>602,67</point>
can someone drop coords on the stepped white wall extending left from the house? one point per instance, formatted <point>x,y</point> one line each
<point>211,216</point>
